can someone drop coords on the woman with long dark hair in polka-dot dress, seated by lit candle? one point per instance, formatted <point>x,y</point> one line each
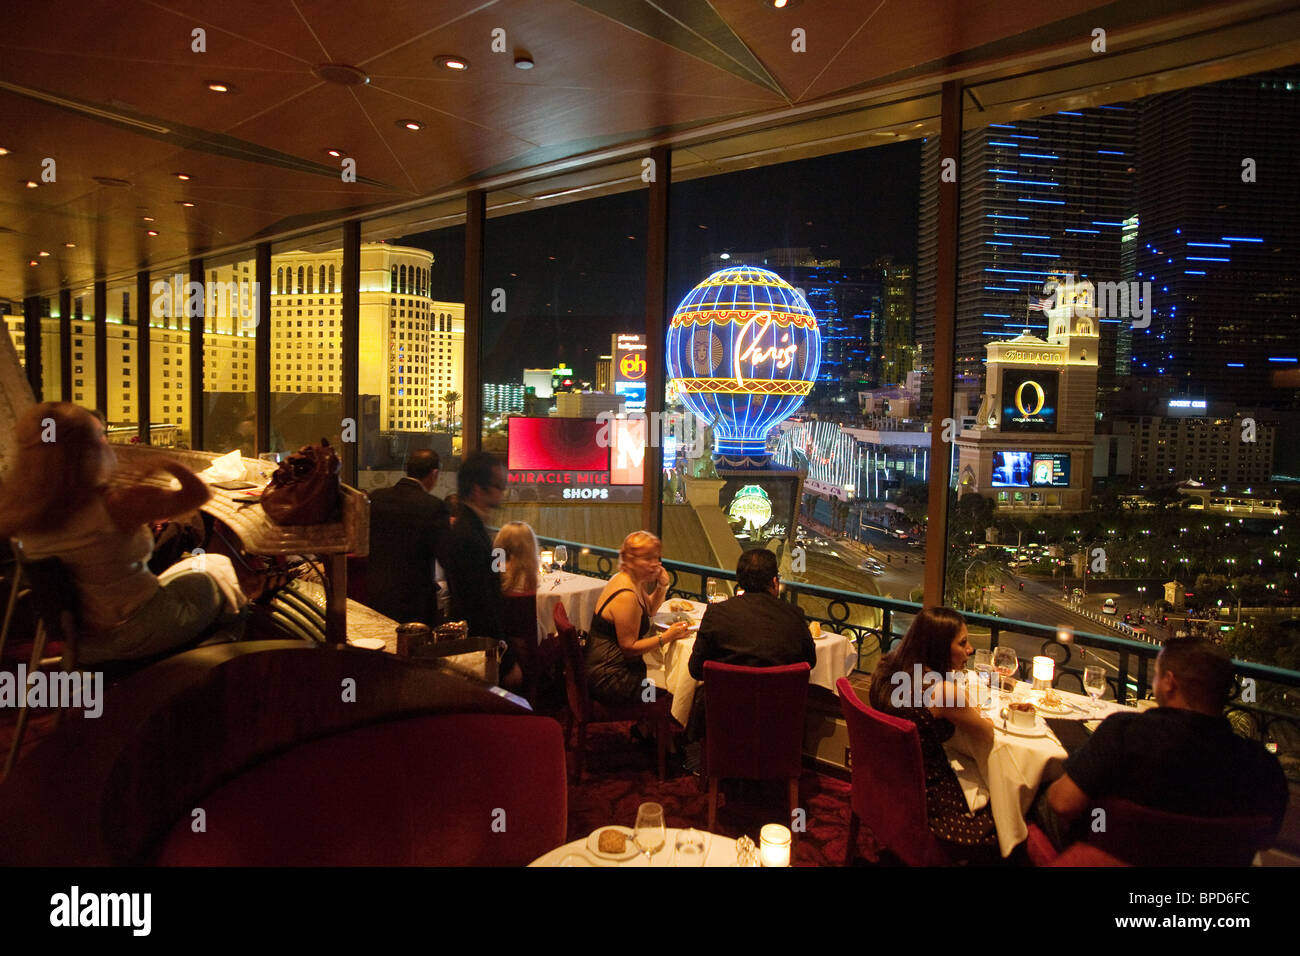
<point>918,682</point>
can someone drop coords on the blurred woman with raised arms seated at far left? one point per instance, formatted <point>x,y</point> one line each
<point>57,500</point>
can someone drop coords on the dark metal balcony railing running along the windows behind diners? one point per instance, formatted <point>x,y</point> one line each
<point>1266,706</point>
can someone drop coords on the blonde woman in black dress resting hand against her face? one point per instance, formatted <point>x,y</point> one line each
<point>621,628</point>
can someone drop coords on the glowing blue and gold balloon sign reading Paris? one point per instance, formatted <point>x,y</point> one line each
<point>743,352</point>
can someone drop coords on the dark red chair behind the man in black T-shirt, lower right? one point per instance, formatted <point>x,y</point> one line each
<point>1139,836</point>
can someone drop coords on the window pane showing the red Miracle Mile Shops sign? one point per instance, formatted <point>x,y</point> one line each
<point>564,288</point>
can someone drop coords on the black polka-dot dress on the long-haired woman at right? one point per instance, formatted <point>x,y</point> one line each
<point>967,836</point>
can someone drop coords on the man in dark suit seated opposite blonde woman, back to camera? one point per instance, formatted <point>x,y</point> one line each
<point>752,630</point>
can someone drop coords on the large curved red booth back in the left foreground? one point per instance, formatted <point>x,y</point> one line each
<point>447,790</point>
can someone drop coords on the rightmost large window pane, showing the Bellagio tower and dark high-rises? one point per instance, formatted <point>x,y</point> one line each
<point>1128,369</point>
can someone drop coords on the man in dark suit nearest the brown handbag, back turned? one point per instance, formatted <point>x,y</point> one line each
<point>409,525</point>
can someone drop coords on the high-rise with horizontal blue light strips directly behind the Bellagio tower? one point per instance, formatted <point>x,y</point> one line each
<point>1038,197</point>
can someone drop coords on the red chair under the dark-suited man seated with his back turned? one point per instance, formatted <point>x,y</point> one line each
<point>755,726</point>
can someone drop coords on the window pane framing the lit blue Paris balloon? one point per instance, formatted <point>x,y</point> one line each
<point>829,241</point>
